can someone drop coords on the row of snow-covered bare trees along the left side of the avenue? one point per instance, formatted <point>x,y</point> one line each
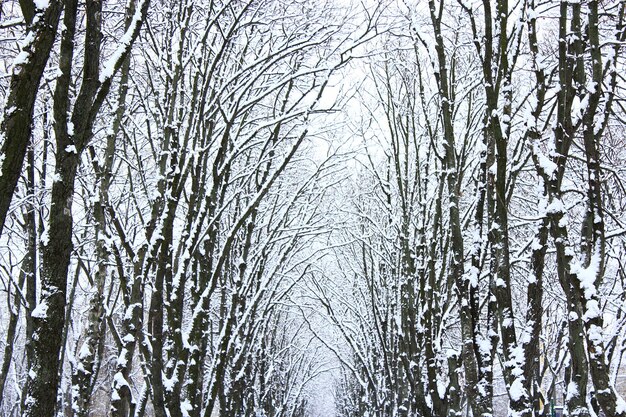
<point>159,205</point>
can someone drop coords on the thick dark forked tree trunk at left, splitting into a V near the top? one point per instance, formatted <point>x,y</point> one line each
<point>72,137</point>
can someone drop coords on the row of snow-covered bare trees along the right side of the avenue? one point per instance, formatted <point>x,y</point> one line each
<point>486,244</point>
